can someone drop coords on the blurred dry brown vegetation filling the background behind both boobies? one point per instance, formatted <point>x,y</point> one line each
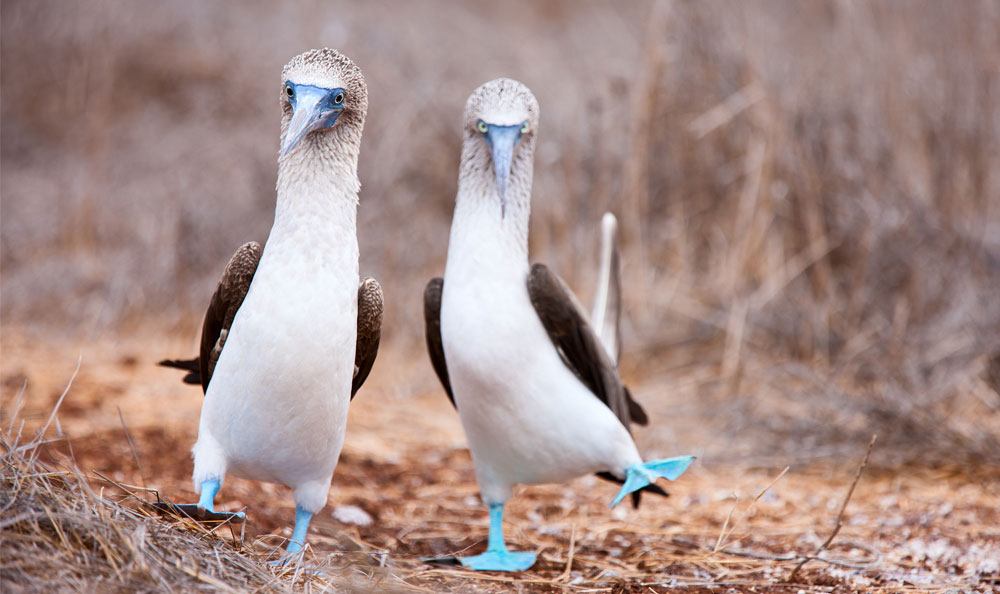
<point>809,192</point>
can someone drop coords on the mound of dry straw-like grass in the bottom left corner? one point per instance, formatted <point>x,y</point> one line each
<point>60,535</point>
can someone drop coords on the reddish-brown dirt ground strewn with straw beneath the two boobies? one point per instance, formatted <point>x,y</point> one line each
<point>405,465</point>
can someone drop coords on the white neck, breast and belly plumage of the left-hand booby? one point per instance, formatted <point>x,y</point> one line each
<point>276,407</point>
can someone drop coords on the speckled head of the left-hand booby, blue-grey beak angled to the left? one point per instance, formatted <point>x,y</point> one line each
<point>321,91</point>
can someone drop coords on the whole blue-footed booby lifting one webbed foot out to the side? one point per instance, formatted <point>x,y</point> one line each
<point>539,396</point>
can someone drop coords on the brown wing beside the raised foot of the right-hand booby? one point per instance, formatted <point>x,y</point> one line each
<point>578,344</point>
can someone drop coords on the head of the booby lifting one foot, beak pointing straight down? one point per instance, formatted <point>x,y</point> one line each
<point>500,121</point>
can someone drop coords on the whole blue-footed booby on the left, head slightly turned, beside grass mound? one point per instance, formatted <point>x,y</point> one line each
<point>290,333</point>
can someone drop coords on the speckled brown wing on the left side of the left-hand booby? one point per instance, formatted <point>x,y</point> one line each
<point>226,300</point>
